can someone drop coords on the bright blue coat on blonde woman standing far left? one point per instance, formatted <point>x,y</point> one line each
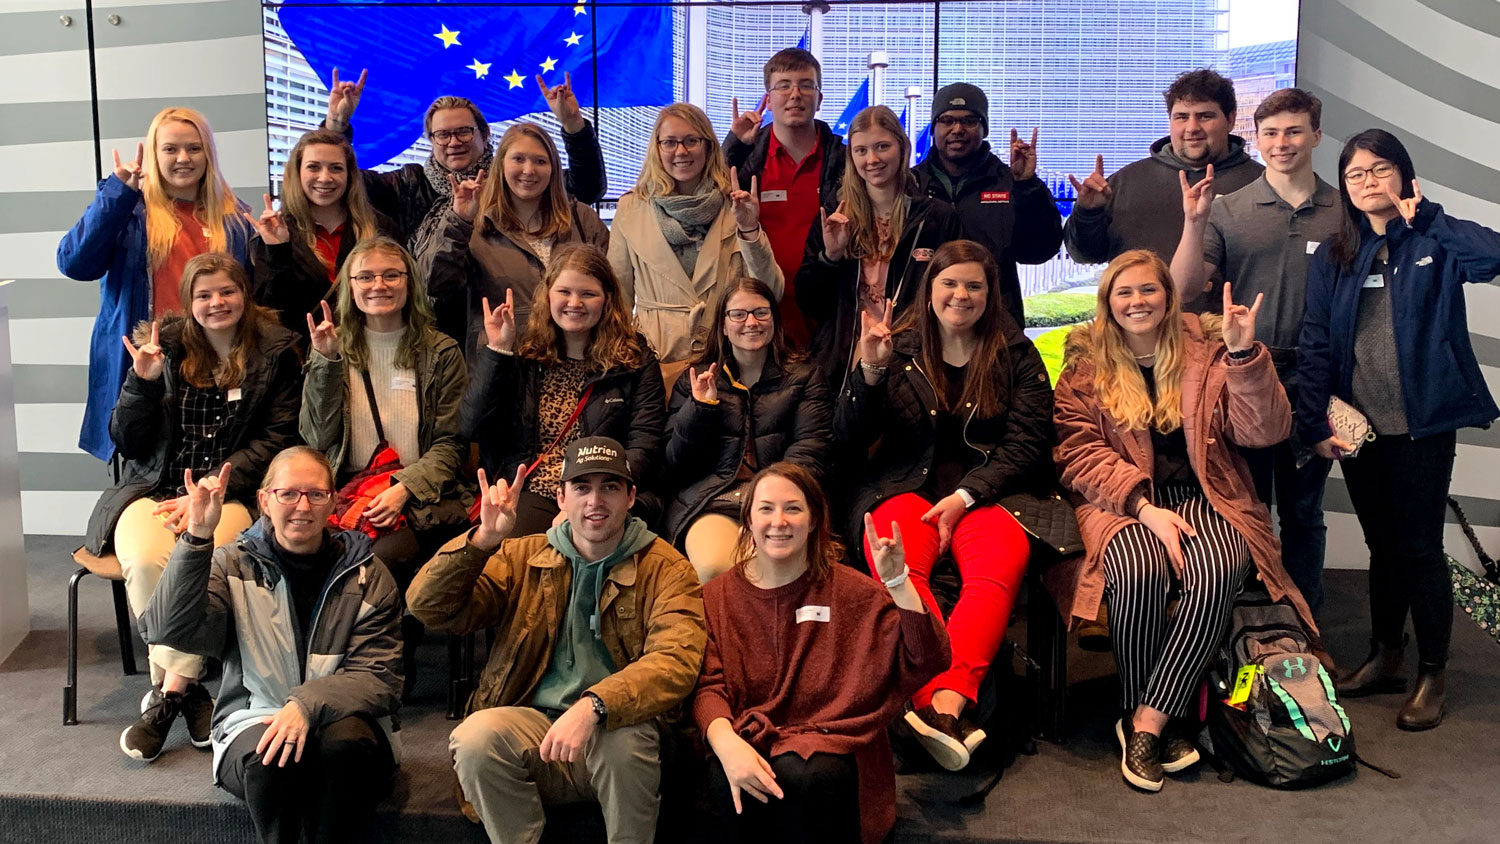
<point>109,244</point>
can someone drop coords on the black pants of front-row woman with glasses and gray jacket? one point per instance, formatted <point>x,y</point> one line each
<point>346,770</point>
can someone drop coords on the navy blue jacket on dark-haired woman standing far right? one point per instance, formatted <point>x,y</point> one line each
<point>1430,260</point>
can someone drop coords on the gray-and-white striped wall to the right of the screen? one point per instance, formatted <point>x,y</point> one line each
<point>1427,73</point>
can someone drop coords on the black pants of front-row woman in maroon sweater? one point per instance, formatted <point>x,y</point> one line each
<point>821,803</point>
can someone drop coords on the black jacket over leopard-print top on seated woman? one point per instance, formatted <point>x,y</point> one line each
<point>628,406</point>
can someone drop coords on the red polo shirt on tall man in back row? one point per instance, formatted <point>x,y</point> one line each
<point>788,221</point>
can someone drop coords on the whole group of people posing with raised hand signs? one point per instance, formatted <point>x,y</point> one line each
<point>787,350</point>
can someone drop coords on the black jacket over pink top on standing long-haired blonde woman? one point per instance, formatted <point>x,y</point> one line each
<point>829,292</point>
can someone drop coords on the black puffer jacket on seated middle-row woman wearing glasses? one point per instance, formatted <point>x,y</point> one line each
<point>787,416</point>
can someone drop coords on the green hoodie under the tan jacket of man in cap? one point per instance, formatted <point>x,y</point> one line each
<point>580,659</point>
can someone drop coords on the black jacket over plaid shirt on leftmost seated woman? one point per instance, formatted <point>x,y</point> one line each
<point>145,426</point>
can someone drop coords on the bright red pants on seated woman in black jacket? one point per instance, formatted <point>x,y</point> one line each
<point>991,549</point>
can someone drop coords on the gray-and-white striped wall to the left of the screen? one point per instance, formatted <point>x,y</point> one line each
<point>206,55</point>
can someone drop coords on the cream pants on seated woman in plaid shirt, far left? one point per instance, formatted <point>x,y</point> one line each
<point>143,543</point>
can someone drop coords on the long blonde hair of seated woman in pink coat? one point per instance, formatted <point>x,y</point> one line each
<point>1117,379</point>
